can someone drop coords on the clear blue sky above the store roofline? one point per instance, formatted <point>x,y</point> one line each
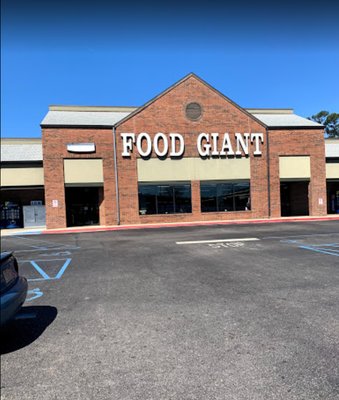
<point>259,54</point>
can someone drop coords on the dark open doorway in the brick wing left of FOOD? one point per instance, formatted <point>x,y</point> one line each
<point>82,206</point>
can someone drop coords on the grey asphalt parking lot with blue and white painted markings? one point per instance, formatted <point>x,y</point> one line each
<point>218,312</point>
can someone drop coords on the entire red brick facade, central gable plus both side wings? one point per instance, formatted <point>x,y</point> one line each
<point>167,114</point>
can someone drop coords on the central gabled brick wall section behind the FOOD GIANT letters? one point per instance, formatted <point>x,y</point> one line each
<point>167,114</point>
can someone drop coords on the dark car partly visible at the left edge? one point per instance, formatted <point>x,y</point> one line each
<point>13,288</point>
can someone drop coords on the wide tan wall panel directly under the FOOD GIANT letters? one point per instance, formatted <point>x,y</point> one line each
<point>190,169</point>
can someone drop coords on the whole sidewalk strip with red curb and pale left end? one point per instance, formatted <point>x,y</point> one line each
<point>103,228</point>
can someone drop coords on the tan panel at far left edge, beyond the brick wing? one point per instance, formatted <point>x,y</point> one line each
<point>22,176</point>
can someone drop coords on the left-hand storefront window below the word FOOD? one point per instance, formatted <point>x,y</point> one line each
<point>164,198</point>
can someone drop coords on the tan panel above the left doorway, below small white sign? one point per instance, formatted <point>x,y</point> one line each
<point>83,171</point>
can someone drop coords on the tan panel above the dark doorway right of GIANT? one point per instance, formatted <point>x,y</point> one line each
<point>295,167</point>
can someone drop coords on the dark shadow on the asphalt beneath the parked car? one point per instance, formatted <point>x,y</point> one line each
<point>28,325</point>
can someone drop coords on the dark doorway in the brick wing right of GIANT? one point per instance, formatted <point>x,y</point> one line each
<point>294,198</point>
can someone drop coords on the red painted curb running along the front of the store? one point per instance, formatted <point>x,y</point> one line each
<point>185,224</point>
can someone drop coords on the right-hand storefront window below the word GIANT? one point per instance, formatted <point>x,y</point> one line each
<point>225,196</point>
